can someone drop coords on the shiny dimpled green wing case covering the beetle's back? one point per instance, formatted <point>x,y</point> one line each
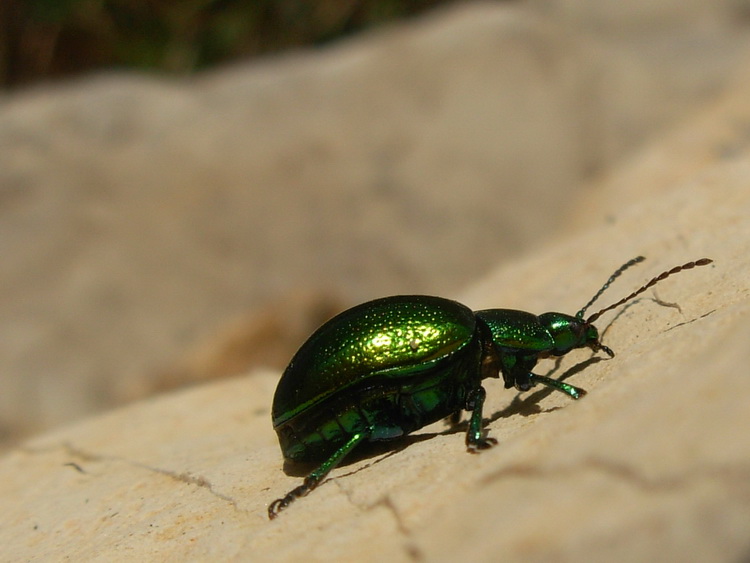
<point>369,345</point>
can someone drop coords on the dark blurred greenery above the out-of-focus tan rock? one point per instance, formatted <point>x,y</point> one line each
<point>43,39</point>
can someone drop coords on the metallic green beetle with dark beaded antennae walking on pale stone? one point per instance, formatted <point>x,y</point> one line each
<point>388,367</point>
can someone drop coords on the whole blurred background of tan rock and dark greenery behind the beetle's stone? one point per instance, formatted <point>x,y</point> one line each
<point>188,189</point>
